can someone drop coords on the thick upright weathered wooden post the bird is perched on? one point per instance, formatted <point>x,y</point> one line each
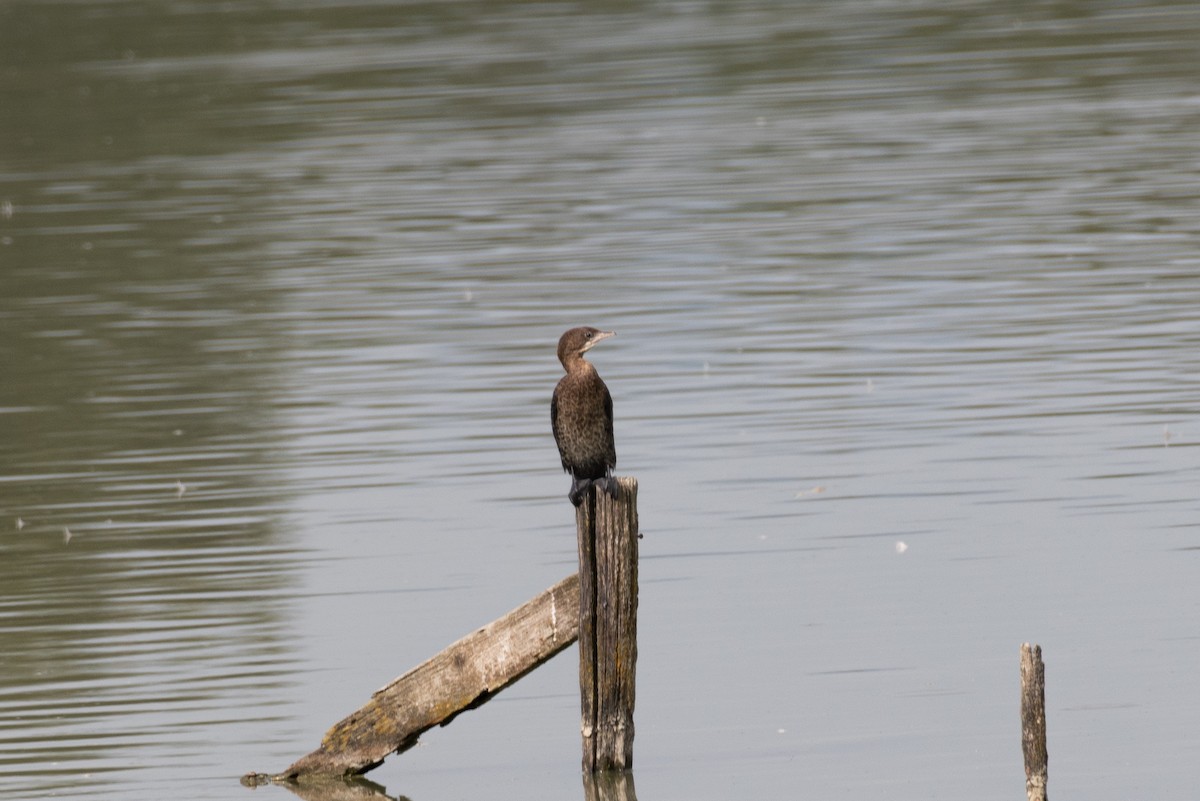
<point>608,540</point>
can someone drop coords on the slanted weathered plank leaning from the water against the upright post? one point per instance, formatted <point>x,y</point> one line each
<point>463,677</point>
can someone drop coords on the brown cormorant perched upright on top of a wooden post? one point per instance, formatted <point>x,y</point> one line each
<point>581,417</point>
